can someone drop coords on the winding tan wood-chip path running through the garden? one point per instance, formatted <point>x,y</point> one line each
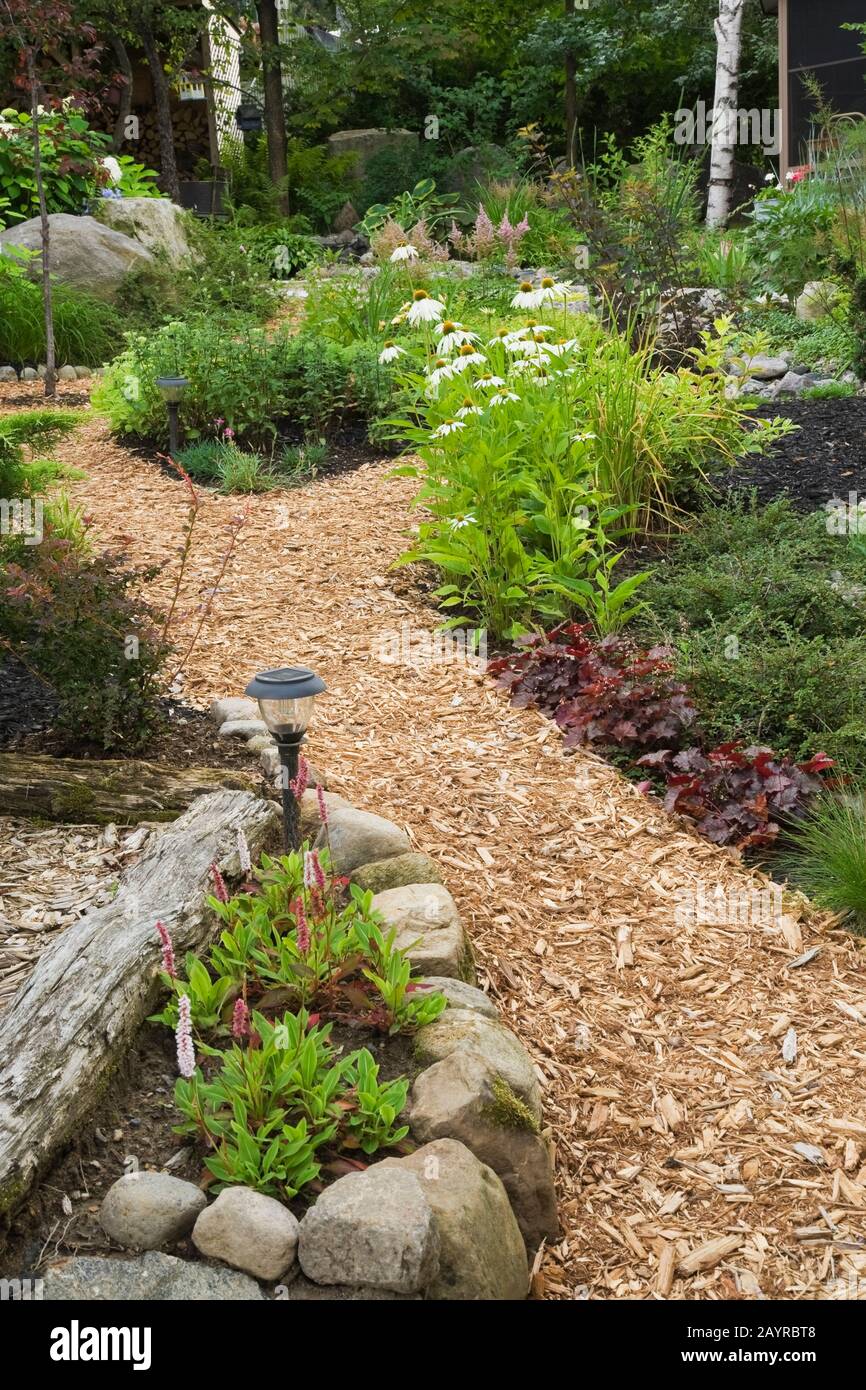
<point>705,1084</point>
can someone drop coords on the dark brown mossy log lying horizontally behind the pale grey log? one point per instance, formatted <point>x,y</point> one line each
<point>102,792</point>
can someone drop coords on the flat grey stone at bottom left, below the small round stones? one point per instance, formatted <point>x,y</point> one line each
<point>152,1278</point>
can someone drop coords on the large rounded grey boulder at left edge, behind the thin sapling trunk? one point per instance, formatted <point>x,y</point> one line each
<point>84,252</point>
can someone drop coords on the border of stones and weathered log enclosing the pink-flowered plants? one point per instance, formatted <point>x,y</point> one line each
<point>459,1218</point>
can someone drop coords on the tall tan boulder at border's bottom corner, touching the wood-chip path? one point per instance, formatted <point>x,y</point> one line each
<point>482,1252</point>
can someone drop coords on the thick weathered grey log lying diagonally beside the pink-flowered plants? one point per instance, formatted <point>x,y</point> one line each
<point>70,1025</point>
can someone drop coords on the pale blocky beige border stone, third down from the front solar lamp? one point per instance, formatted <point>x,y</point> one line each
<point>429,928</point>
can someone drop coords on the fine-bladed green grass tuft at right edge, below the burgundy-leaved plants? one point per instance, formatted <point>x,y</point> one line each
<point>828,857</point>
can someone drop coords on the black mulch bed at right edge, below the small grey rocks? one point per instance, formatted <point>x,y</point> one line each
<point>824,459</point>
